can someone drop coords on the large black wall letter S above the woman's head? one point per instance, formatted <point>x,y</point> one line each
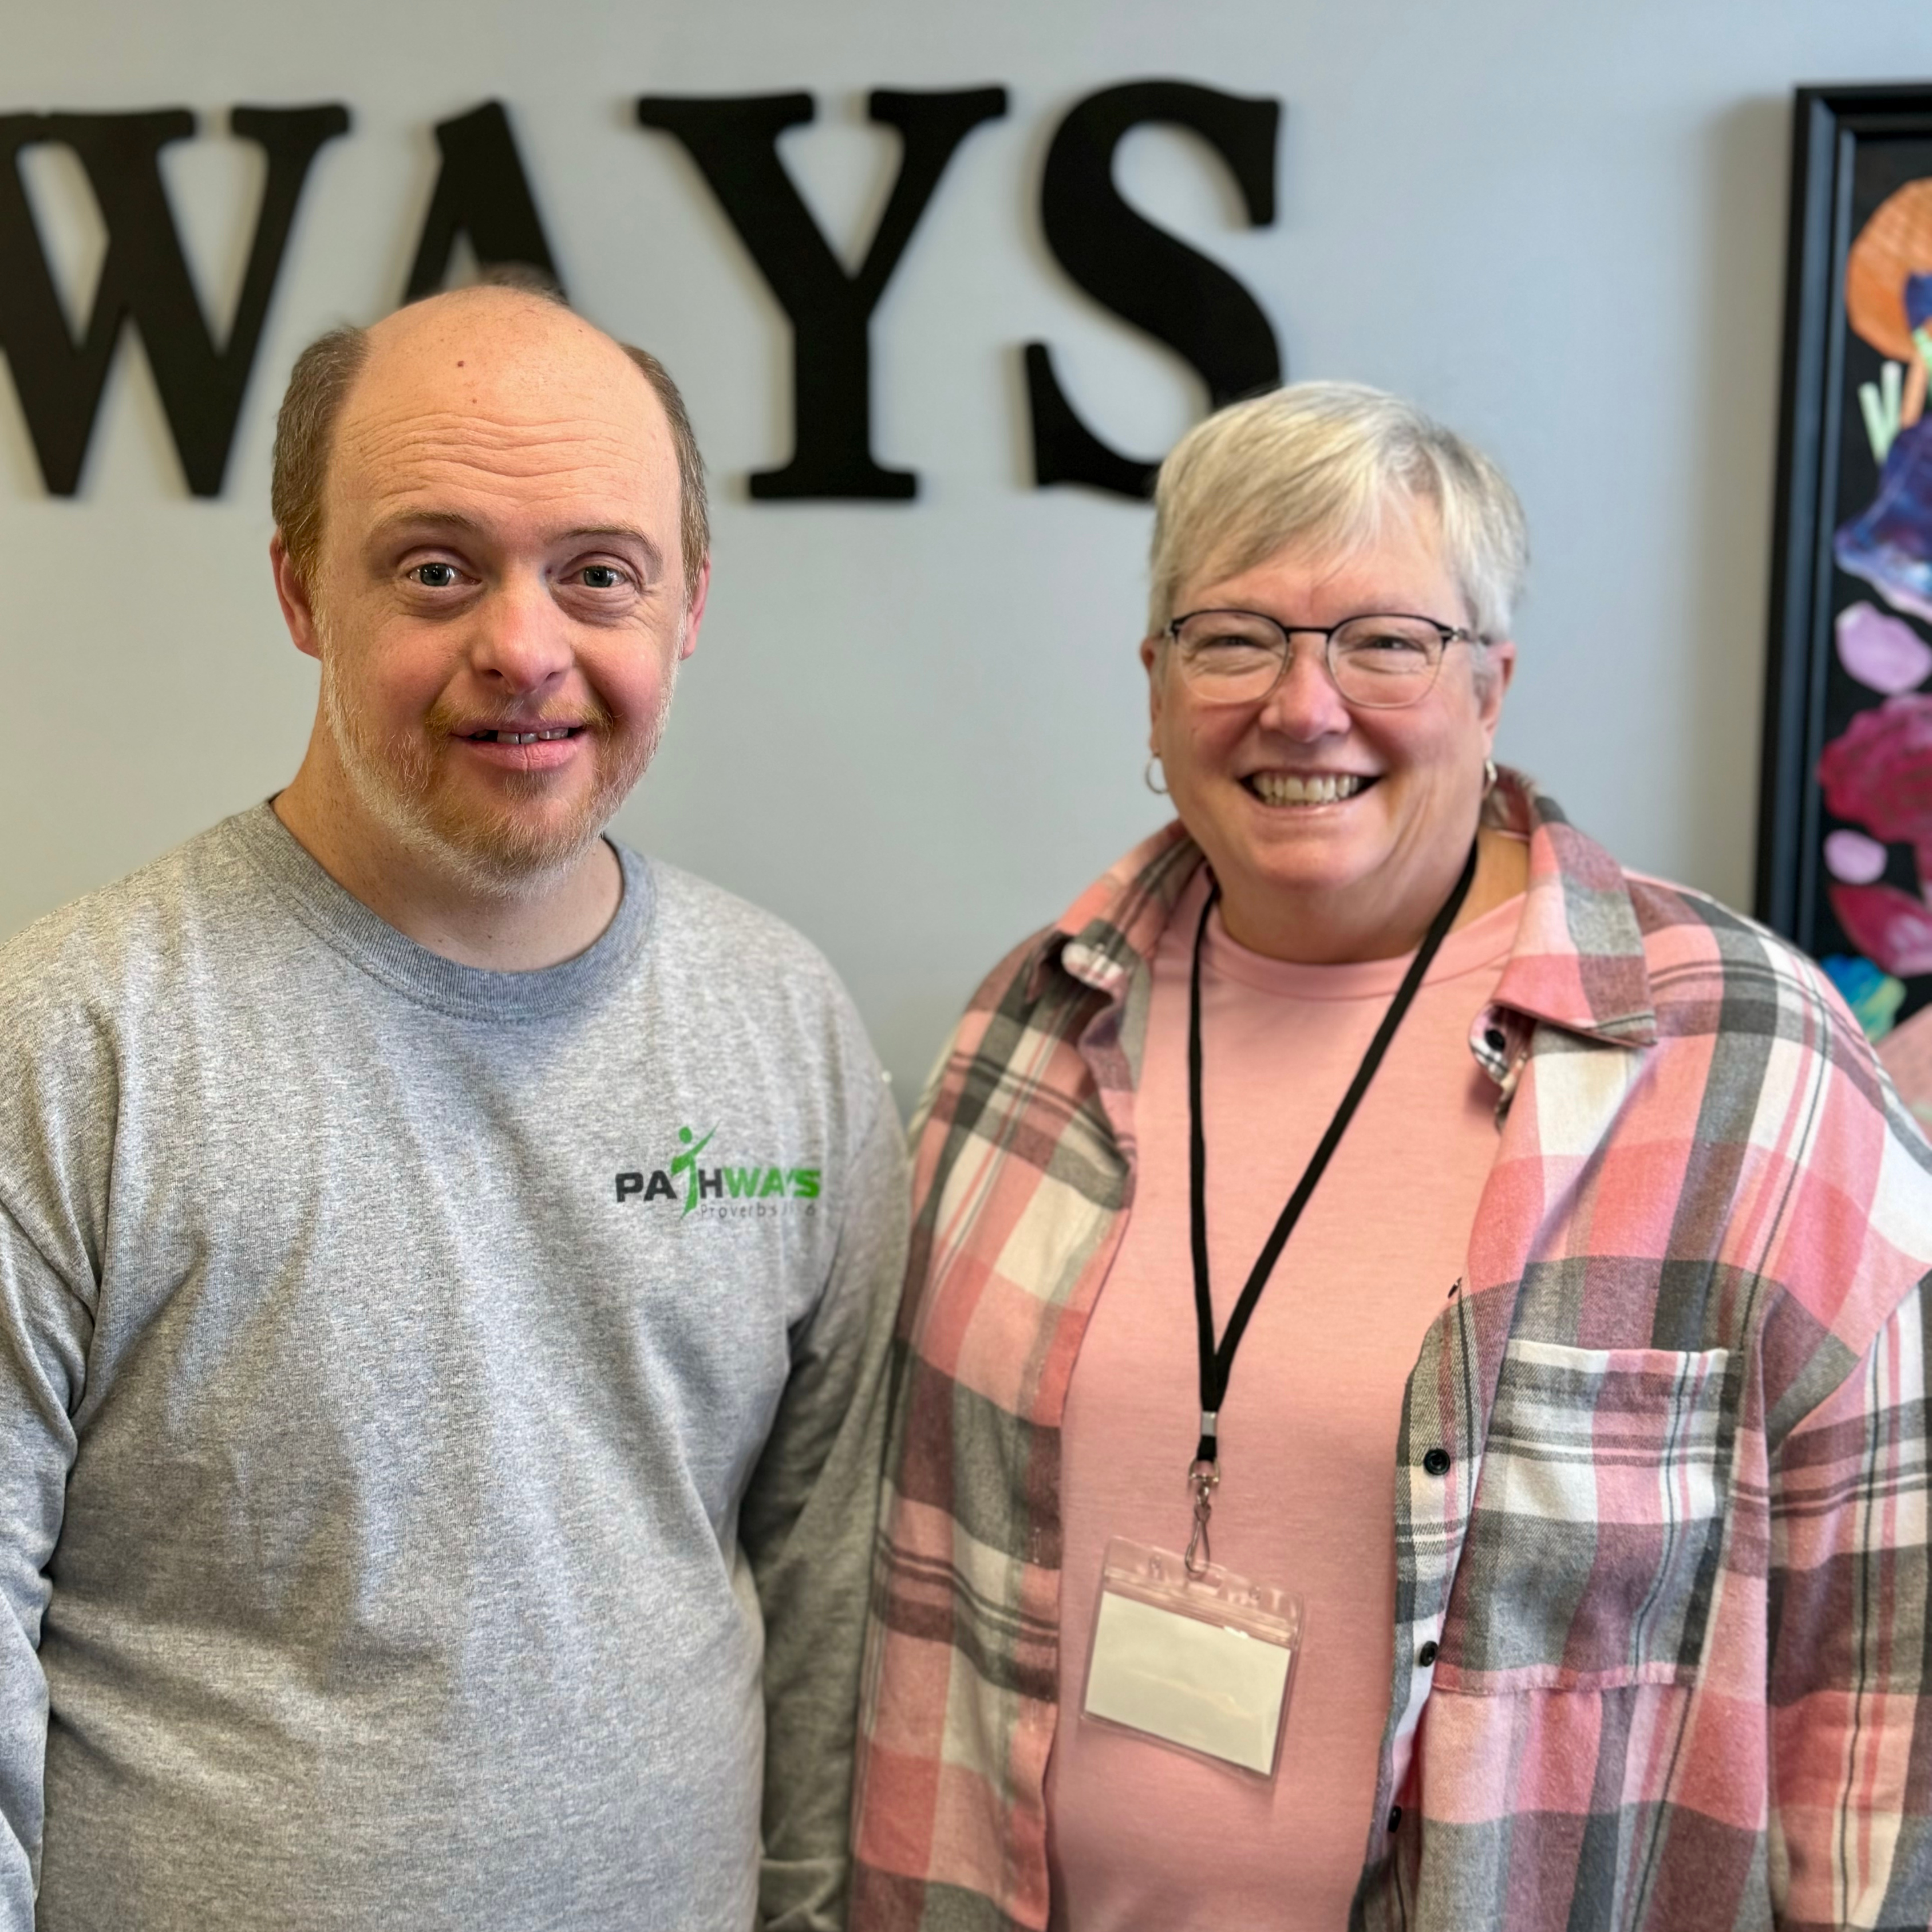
<point>1143,273</point>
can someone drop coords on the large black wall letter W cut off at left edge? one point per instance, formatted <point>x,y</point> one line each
<point>146,277</point>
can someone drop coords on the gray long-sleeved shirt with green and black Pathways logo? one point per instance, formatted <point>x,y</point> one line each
<point>438,1413</point>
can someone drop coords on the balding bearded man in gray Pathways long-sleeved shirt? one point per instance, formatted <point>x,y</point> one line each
<point>414,1508</point>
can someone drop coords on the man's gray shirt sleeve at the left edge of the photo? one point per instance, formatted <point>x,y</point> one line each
<point>45,1330</point>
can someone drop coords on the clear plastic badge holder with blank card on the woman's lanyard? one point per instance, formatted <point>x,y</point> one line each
<point>1197,1662</point>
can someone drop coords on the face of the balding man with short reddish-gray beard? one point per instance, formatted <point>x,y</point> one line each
<point>499,604</point>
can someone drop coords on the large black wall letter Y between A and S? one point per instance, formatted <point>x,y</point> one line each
<point>737,146</point>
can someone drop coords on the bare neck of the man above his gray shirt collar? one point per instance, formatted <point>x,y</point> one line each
<point>445,915</point>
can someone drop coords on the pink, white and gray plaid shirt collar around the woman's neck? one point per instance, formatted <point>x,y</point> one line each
<point>1577,959</point>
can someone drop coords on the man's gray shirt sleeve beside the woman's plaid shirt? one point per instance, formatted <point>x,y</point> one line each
<point>809,1527</point>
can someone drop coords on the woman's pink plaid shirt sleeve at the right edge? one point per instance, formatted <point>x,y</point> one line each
<point>1848,1672</point>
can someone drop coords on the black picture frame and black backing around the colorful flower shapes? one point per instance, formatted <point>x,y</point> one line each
<point>1852,150</point>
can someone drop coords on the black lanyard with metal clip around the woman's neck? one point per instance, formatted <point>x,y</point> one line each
<point>1218,1363</point>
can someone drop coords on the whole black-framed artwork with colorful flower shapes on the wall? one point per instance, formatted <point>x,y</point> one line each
<point>1846,826</point>
